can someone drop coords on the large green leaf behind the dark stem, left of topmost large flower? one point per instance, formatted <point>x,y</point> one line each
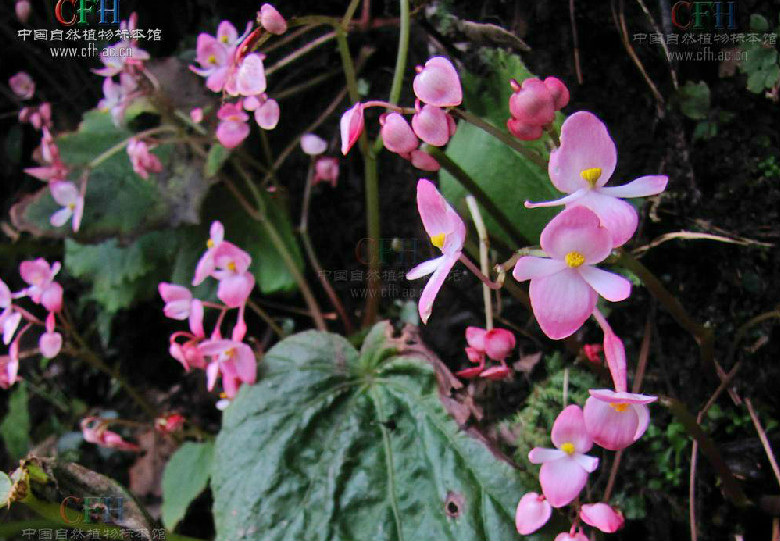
<point>506,176</point>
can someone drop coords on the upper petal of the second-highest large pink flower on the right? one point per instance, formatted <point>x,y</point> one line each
<point>577,229</point>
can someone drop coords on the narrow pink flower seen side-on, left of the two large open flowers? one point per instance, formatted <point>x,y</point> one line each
<point>447,232</point>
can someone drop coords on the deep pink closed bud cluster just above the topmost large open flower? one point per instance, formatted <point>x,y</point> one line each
<point>533,105</point>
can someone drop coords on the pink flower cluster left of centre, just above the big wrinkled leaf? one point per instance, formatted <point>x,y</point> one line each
<point>231,359</point>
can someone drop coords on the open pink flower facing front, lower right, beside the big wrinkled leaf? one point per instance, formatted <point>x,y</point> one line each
<point>565,469</point>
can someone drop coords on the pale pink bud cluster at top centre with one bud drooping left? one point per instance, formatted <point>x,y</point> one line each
<point>437,87</point>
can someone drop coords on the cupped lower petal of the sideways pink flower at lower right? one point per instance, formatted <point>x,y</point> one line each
<point>610,428</point>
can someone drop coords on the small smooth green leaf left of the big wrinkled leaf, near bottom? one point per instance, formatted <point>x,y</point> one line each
<point>185,477</point>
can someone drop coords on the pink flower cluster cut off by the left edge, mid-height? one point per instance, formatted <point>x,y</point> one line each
<point>43,291</point>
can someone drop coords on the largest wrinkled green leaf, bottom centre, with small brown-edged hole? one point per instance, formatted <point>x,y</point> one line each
<point>333,444</point>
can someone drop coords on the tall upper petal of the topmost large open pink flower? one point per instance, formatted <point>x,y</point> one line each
<point>585,144</point>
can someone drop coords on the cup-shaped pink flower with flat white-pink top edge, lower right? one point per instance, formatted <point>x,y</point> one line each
<point>615,420</point>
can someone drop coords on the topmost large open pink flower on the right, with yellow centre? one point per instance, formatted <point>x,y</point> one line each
<point>582,166</point>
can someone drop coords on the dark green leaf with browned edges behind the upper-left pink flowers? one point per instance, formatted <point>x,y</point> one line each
<point>118,202</point>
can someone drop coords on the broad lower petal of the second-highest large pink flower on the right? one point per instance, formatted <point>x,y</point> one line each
<point>561,303</point>
